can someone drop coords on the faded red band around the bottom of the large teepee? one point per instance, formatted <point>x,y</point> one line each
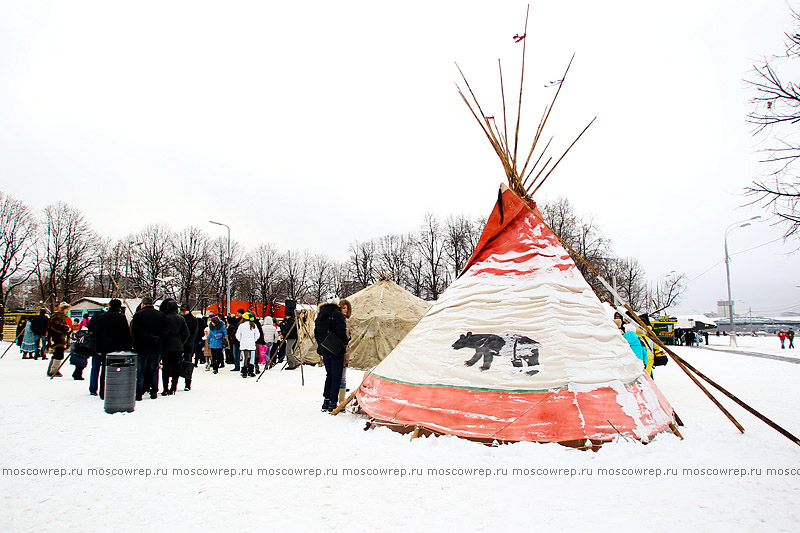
<point>557,416</point>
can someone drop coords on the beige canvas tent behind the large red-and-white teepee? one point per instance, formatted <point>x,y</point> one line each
<point>383,314</point>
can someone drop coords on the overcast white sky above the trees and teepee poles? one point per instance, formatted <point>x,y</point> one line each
<point>313,124</point>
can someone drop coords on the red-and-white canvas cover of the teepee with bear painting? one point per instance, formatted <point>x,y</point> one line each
<point>517,349</point>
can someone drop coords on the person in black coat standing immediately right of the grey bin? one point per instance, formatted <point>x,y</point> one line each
<point>147,328</point>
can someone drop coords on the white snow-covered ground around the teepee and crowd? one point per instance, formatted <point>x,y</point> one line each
<point>428,484</point>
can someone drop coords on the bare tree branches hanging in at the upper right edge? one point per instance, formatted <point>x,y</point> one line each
<point>775,113</point>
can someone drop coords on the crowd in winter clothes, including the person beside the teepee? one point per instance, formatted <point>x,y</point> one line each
<point>171,339</point>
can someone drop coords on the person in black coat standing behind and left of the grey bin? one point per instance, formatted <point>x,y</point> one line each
<point>111,334</point>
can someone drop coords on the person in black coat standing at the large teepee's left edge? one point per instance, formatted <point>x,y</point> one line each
<point>331,321</point>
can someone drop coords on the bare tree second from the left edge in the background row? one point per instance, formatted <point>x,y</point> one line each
<point>65,255</point>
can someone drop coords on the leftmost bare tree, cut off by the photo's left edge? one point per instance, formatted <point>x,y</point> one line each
<point>17,231</point>
